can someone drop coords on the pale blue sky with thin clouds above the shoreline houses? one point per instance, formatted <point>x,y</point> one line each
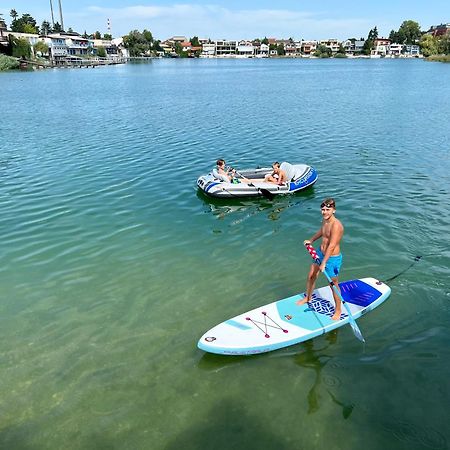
<point>232,19</point>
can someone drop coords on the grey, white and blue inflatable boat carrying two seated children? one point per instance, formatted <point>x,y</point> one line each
<point>299,176</point>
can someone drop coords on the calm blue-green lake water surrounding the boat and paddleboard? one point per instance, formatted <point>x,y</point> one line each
<point>112,265</point>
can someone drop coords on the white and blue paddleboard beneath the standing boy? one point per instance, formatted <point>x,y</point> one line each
<point>283,323</point>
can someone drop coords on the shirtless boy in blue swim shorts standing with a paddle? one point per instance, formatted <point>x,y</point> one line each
<point>329,253</point>
